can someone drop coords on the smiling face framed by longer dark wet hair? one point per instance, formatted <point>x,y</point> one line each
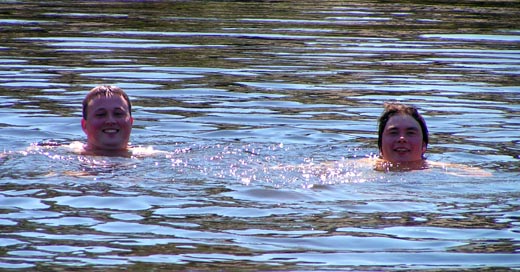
<point>402,140</point>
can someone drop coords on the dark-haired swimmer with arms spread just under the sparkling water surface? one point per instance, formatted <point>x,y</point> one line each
<point>402,142</point>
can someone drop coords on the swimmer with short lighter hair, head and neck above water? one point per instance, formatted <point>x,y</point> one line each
<point>107,122</point>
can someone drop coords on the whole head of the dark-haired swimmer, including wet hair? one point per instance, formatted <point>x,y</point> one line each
<point>413,133</point>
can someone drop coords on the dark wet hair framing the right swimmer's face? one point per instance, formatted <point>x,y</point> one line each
<point>392,109</point>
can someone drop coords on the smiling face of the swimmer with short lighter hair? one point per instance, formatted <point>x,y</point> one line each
<point>108,124</point>
